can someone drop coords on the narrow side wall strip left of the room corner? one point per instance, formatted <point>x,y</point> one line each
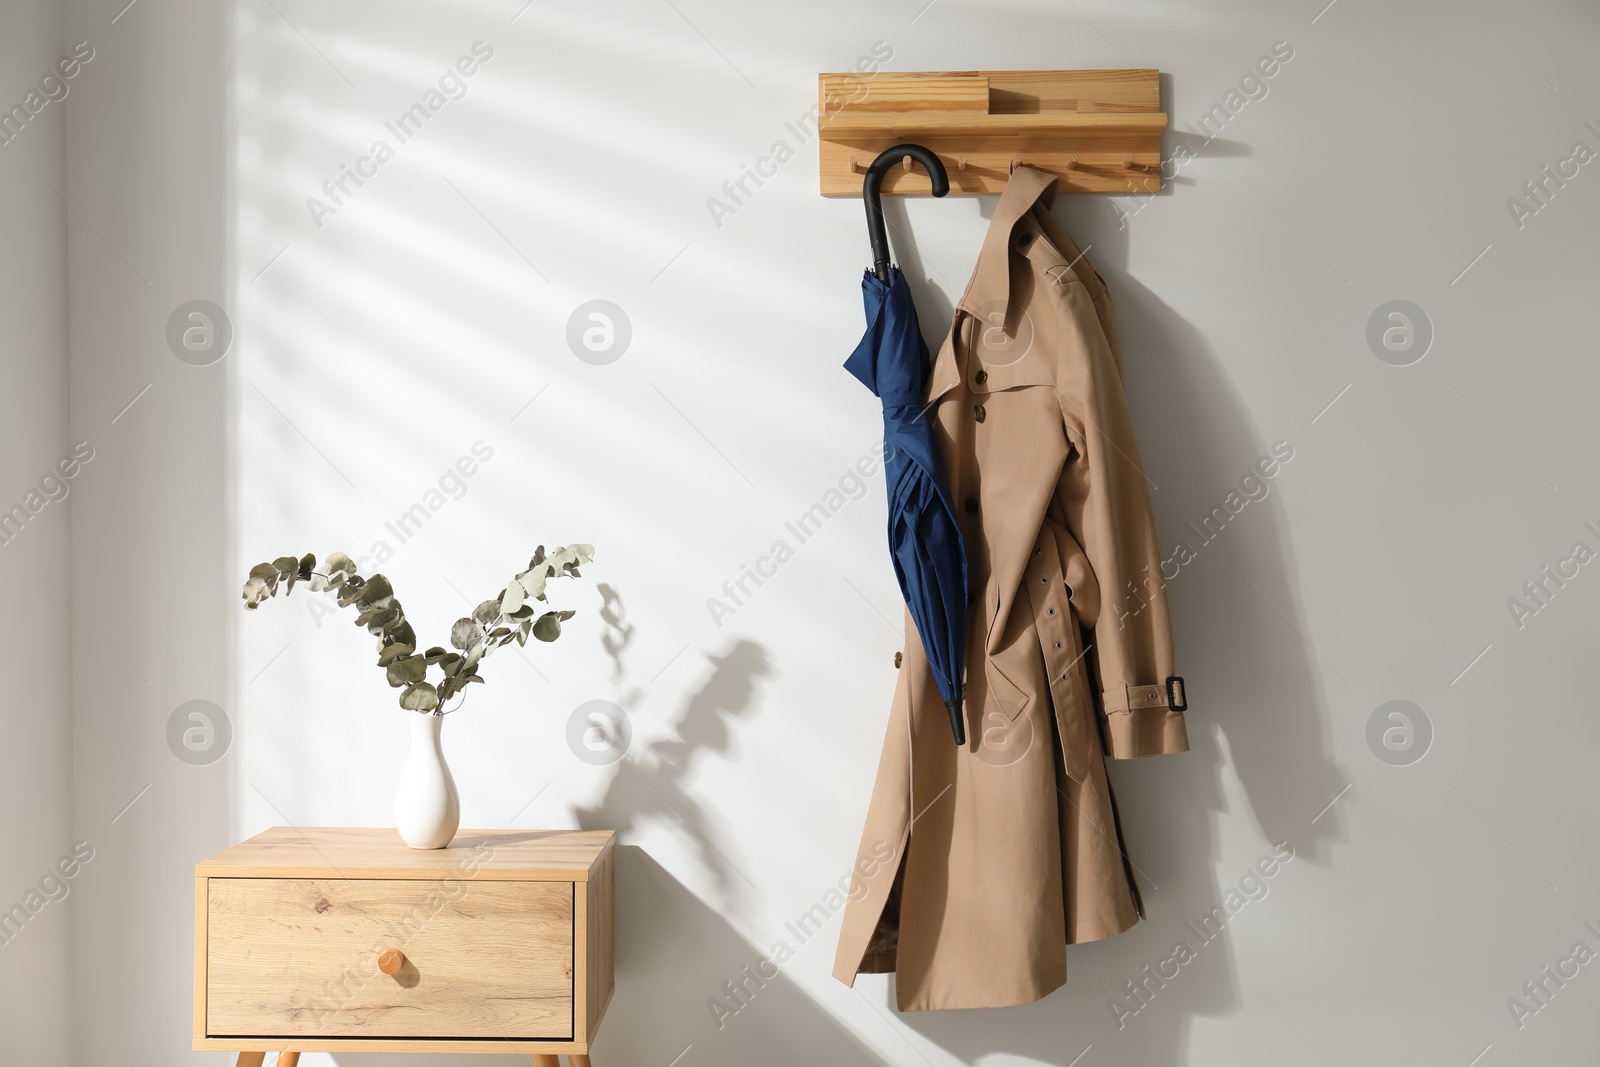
<point>36,773</point>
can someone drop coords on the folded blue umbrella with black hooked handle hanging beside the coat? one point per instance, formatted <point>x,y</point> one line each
<point>926,541</point>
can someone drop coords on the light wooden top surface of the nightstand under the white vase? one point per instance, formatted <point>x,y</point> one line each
<point>380,853</point>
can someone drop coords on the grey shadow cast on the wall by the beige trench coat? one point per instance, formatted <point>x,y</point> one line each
<point>1252,681</point>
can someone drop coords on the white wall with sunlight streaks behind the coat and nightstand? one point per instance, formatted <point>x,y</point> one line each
<point>430,313</point>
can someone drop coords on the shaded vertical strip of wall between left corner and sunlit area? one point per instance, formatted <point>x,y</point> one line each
<point>148,169</point>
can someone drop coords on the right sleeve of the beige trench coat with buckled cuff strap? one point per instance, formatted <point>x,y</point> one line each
<point>1106,505</point>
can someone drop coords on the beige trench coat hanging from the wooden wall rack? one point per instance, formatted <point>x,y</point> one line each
<point>980,865</point>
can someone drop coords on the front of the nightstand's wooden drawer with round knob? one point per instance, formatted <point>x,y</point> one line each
<point>300,957</point>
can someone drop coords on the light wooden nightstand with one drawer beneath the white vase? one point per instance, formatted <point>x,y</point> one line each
<point>348,941</point>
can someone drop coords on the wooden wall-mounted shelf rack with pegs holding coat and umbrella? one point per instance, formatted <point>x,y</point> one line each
<point>1097,130</point>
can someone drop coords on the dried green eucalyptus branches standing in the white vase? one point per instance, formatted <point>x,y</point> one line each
<point>511,617</point>
